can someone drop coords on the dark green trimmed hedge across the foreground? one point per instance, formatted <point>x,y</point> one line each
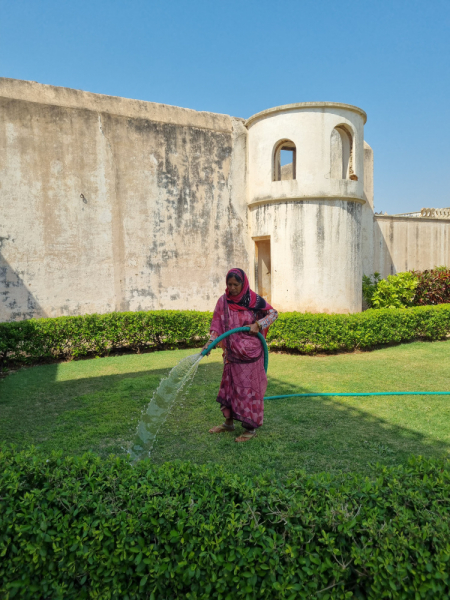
<point>79,528</point>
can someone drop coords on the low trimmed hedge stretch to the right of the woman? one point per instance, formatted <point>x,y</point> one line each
<point>309,333</point>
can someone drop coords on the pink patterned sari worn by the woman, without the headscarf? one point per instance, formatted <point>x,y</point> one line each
<point>244,380</point>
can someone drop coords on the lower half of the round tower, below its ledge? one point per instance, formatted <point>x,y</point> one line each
<point>315,254</point>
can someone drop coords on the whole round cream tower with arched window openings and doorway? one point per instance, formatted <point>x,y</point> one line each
<point>305,195</point>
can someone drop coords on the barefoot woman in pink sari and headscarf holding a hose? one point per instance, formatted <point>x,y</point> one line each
<point>244,380</point>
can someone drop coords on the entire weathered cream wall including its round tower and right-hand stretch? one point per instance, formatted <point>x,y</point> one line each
<point>115,204</point>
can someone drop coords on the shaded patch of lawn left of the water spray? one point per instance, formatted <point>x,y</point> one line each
<point>97,413</point>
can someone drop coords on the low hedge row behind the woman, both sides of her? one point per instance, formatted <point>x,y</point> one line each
<point>68,337</point>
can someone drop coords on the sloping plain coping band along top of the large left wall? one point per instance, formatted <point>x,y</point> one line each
<point>39,93</point>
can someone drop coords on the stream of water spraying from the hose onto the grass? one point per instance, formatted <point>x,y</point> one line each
<point>169,390</point>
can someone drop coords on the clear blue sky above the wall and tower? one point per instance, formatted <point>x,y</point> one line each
<point>390,57</point>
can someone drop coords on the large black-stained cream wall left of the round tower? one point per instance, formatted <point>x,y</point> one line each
<point>113,204</point>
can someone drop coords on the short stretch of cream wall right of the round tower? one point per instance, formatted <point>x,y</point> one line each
<point>405,243</point>
